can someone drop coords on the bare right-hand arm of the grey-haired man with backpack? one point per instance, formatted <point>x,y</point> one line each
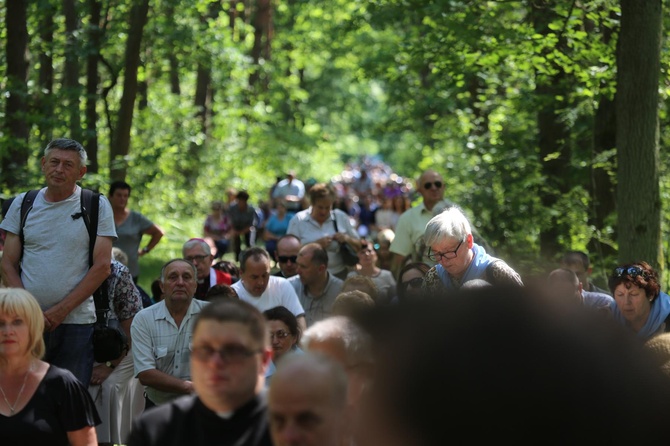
<point>101,269</point>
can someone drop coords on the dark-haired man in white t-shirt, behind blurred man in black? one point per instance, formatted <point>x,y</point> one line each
<point>264,291</point>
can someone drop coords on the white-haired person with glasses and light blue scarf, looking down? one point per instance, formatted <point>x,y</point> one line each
<point>458,259</point>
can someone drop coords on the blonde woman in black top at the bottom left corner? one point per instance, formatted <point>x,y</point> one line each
<point>39,403</point>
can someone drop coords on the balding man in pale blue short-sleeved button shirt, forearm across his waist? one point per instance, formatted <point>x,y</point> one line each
<point>161,335</point>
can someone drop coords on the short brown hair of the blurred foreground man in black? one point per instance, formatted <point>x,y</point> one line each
<point>235,310</point>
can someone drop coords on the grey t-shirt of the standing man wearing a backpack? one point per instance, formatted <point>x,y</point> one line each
<point>55,251</point>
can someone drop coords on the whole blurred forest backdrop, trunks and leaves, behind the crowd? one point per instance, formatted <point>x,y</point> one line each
<point>534,111</point>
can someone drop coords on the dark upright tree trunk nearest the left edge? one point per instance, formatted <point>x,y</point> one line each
<point>15,157</point>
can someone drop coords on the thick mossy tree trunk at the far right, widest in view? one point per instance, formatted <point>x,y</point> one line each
<point>638,193</point>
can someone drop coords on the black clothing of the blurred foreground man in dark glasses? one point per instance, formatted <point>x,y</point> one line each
<point>187,421</point>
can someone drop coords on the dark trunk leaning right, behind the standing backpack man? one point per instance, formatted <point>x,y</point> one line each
<point>120,145</point>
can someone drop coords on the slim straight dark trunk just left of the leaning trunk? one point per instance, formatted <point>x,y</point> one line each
<point>94,37</point>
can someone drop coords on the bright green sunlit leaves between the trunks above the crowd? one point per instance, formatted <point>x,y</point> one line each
<point>444,84</point>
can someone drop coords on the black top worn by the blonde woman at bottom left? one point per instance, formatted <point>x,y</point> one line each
<point>61,404</point>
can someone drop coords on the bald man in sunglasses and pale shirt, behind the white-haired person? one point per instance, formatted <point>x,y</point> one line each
<point>411,226</point>
